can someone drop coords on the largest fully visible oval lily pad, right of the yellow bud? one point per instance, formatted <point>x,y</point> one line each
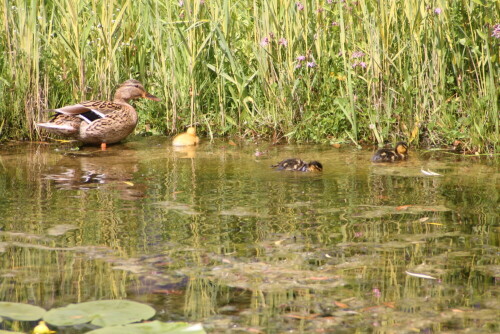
<point>100,313</point>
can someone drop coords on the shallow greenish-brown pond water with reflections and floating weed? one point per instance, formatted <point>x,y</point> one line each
<point>214,235</point>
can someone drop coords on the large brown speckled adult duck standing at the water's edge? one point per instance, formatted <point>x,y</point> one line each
<point>100,122</point>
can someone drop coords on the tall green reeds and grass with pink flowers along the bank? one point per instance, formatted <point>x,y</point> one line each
<point>310,70</point>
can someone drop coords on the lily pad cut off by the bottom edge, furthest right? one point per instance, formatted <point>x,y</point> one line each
<point>152,328</point>
